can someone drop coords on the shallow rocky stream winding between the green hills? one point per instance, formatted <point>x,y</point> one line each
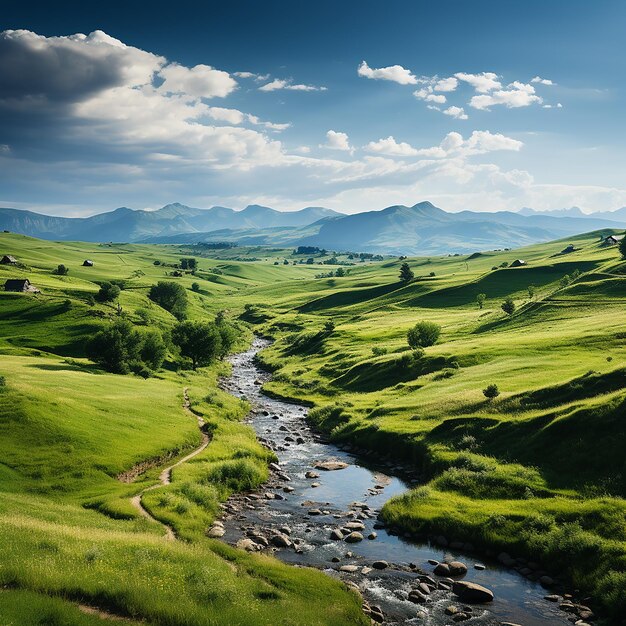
<point>307,510</point>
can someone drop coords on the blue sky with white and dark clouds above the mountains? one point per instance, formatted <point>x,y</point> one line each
<point>485,105</point>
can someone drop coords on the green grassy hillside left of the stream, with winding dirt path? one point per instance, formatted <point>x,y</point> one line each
<point>73,550</point>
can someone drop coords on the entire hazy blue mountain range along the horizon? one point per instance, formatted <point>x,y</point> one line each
<point>419,229</point>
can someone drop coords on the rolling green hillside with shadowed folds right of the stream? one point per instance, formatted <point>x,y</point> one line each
<point>537,471</point>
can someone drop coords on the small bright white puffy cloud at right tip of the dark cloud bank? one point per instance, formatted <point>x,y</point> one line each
<point>201,81</point>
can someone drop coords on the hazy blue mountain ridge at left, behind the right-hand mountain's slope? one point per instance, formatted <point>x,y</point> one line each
<point>127,225</point>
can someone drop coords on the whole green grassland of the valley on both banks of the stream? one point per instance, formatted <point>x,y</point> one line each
<point>538,470</point>
